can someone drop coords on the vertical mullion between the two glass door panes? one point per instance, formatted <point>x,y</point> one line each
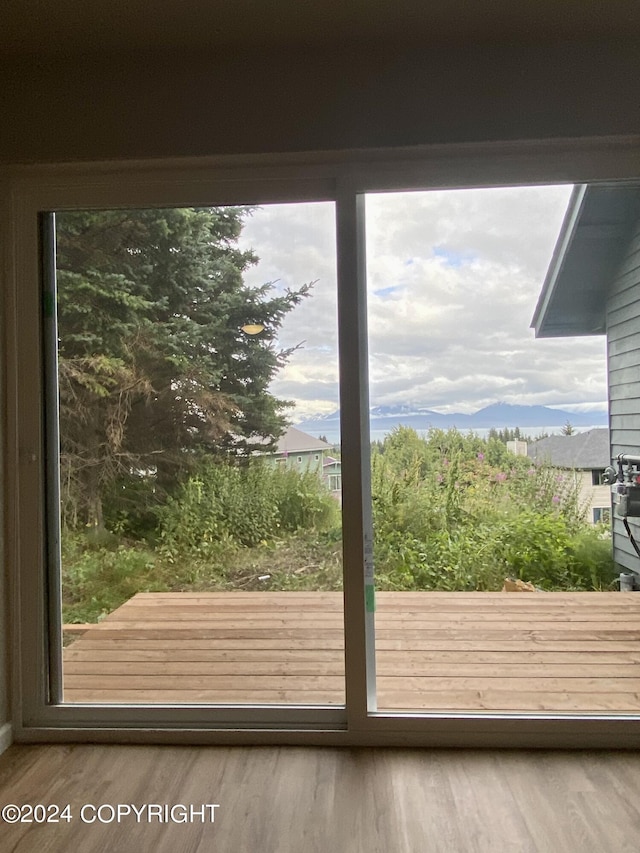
<point>360,681</point>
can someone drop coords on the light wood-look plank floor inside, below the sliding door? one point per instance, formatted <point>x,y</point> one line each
<point>319,800</point>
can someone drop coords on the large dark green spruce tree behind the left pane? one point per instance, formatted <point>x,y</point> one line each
<point>154,363</point>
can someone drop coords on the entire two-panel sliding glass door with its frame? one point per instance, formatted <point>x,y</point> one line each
<point>257,488</point>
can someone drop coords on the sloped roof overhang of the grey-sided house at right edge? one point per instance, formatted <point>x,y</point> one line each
<point>594,233</point>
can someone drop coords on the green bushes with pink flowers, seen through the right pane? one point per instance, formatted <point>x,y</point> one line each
<point>446,516</point>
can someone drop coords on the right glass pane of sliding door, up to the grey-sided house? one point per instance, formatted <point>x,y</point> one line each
<point>496,587</point>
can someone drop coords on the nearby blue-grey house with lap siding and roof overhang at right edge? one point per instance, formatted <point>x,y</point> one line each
<point>592,287</point>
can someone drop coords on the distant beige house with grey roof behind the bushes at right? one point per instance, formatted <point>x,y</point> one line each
<point>586,455</point>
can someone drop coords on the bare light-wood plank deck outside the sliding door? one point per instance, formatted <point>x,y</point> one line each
<point>436,651</point>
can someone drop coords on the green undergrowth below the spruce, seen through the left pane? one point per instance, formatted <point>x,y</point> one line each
<point>227,526</point>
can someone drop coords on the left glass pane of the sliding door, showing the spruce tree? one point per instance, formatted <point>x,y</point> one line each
<point>201,530</point>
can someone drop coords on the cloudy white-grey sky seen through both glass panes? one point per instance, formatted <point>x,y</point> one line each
<point>453,280</point>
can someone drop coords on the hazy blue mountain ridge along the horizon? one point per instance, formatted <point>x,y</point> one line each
<point>497,415</point>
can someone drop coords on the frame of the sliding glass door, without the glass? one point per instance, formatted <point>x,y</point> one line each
<point>344,178</point>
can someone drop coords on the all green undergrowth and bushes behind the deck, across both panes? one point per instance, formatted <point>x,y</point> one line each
<point>451,512</point>
